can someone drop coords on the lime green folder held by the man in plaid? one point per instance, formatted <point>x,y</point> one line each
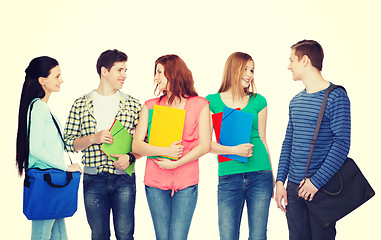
<point>121,145</point>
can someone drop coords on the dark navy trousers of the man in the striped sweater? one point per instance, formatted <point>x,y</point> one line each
<point>301,224</point>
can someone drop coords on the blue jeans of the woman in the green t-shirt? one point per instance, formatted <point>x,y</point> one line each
<point>256,188</point>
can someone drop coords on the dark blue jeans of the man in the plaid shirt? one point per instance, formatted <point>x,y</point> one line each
<point>107,192</point>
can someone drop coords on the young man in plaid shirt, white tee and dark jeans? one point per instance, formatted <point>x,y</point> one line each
<point>106,185</point>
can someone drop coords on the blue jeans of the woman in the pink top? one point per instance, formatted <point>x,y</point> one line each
<point>172,216</point>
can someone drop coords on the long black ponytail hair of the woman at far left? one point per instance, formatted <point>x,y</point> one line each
<point>38,67</point>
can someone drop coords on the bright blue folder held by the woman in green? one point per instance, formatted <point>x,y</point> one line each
<point>235,129</point>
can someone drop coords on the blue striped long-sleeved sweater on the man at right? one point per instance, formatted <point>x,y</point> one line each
<point>333,142</point>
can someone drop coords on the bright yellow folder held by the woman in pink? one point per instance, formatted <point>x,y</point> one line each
<point>166,127</point>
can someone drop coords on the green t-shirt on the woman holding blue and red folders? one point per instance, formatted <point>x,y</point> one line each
<point>259,161</point>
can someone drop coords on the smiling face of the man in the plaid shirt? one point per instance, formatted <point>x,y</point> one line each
<point>116,76</point>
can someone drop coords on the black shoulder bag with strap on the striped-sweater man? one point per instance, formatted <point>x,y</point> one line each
<point>344,192</point>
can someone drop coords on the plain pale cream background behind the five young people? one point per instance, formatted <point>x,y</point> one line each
<point>203,34</point>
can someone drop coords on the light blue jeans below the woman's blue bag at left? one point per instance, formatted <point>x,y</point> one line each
<point>53,229</point>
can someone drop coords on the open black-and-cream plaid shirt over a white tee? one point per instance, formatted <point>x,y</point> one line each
<point>81,122</point>
